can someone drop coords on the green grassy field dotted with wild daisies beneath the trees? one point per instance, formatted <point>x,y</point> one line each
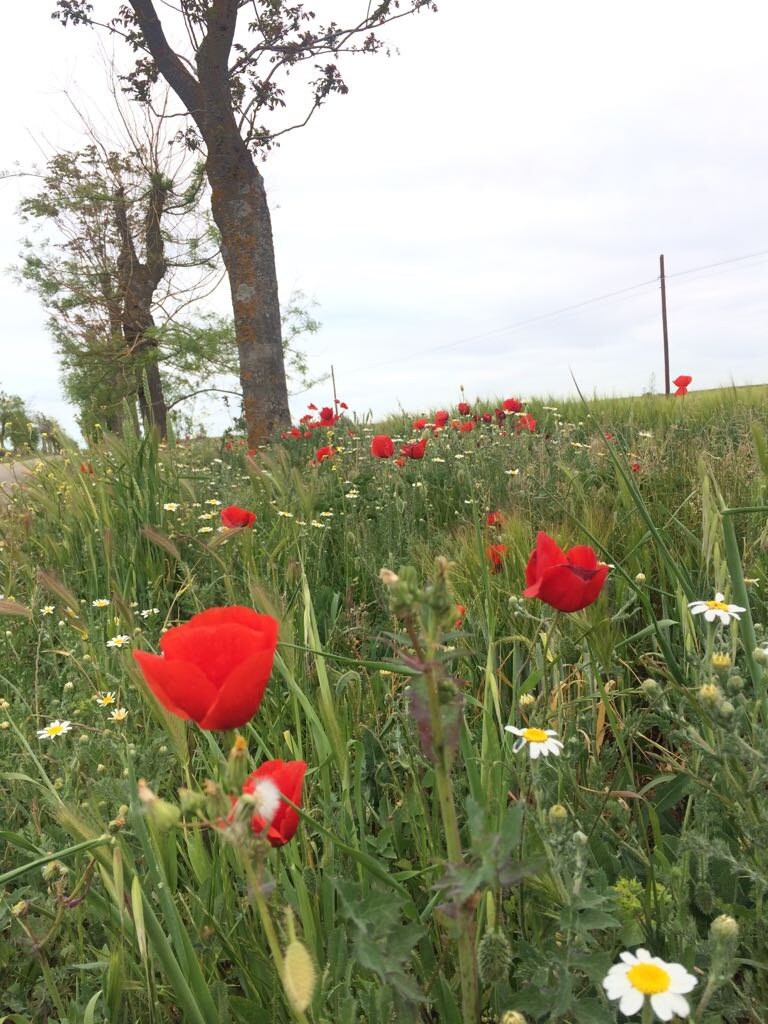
<point>436,872</point>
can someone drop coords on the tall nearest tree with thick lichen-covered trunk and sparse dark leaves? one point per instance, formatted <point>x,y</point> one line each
<point>233,75</point>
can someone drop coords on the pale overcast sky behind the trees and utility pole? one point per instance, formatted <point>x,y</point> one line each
<point>511,161</point>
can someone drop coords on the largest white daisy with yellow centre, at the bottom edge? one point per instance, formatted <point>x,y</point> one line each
<point>639,975</point>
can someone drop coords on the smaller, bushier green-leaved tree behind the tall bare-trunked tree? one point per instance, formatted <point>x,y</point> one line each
<point>123,237</point>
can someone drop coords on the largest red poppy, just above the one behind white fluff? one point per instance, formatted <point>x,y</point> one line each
<point>216,668</point>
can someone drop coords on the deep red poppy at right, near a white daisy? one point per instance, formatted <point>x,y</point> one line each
<point>567,581</point>
